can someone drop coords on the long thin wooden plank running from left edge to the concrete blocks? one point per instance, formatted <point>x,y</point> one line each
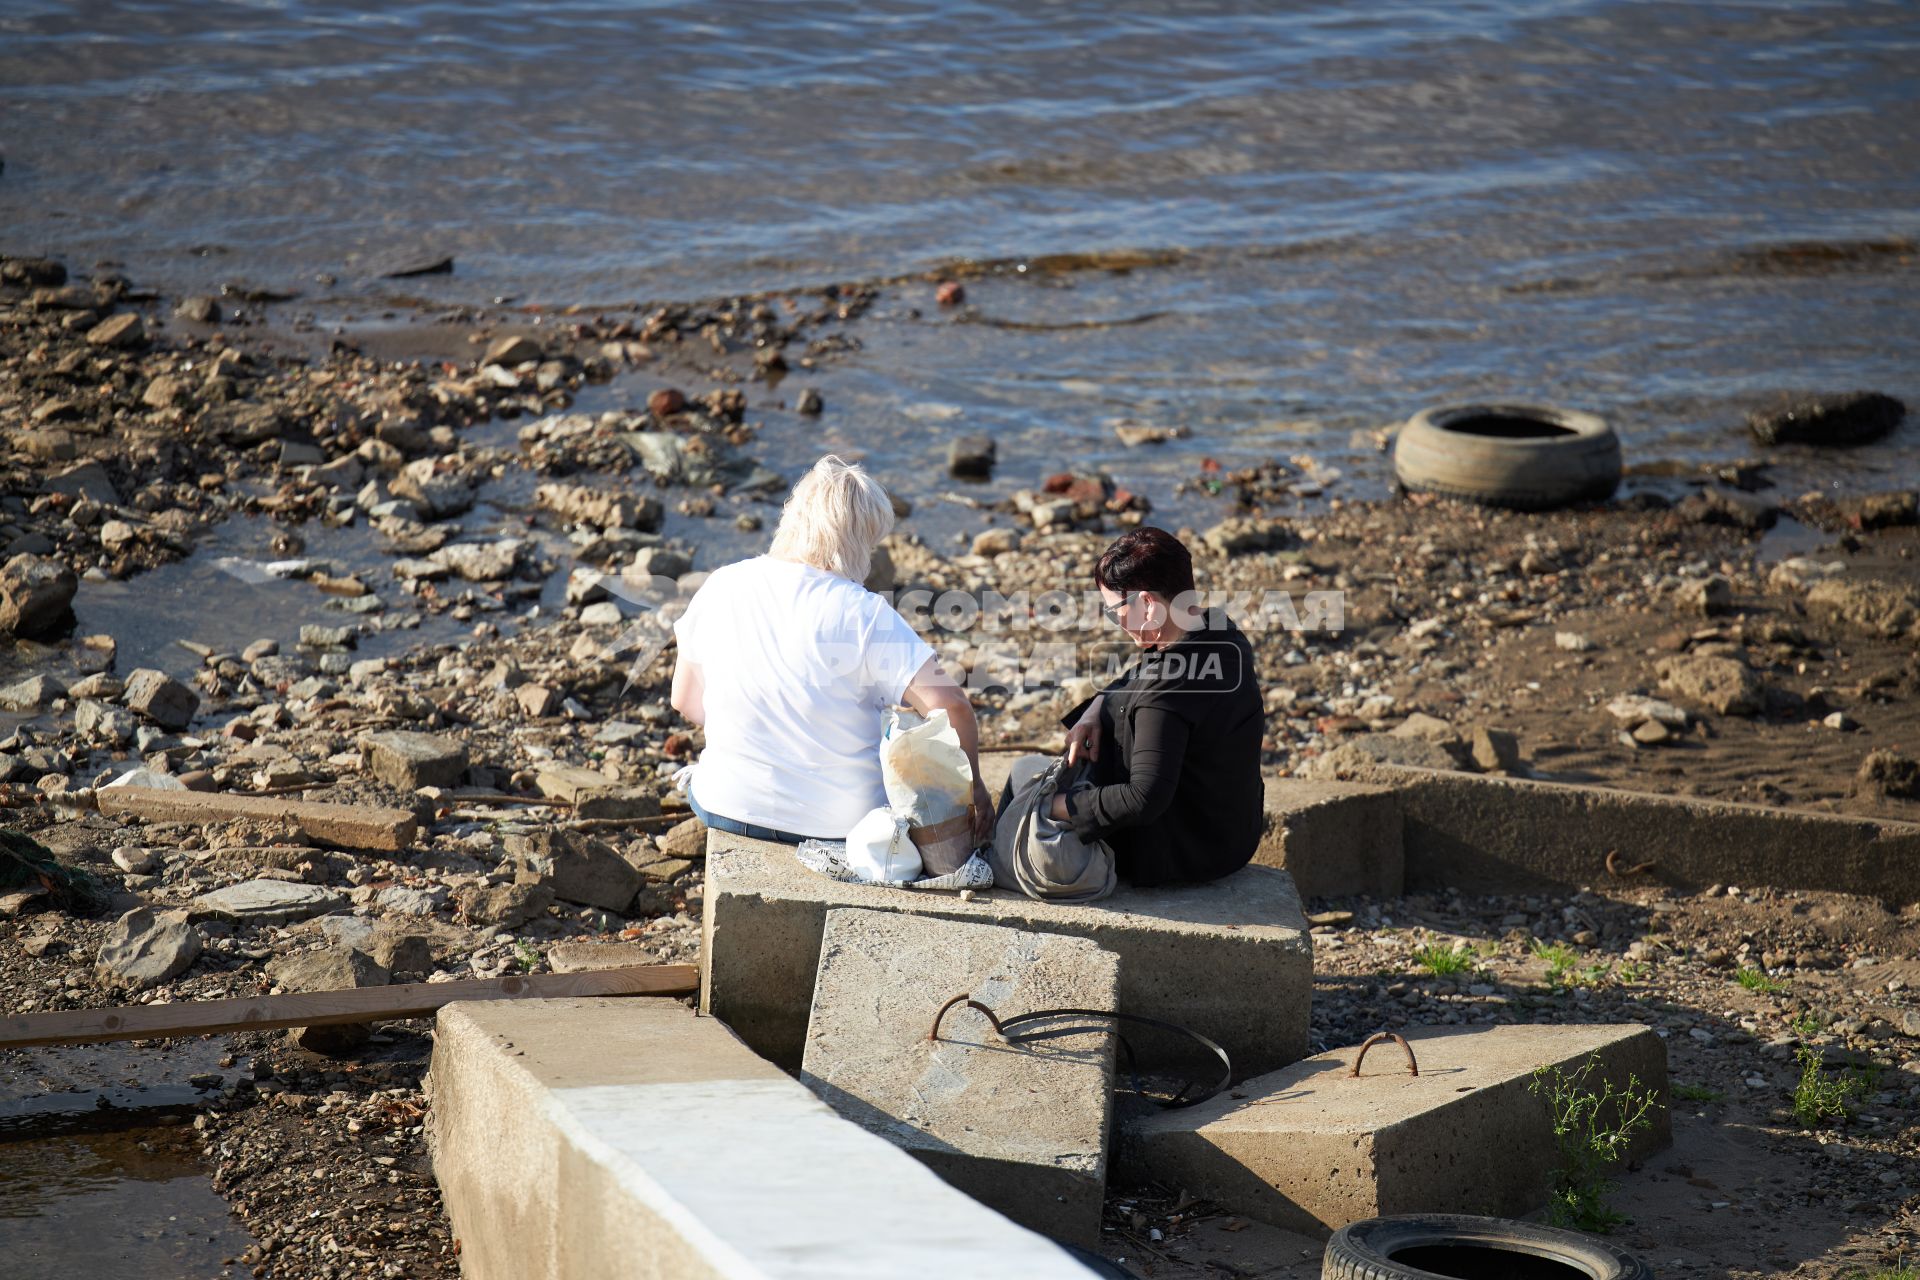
<point>325,1008</point>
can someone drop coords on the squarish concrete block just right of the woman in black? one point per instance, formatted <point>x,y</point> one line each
<point>1335,840</point>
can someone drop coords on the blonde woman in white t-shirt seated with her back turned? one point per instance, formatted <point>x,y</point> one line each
<point>790,665</point>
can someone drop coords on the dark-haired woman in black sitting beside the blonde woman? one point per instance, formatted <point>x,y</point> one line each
<point>1174,742</point>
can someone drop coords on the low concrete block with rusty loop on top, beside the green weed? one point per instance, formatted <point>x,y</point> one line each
<point>1310,1149</point>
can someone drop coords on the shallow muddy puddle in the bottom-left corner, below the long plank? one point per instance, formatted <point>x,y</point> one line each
<point>101,1173</point>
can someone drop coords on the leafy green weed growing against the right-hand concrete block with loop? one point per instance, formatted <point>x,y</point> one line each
<point>1591,1133</point>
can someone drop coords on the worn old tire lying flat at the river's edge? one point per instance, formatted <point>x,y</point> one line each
<point>1529,458</point>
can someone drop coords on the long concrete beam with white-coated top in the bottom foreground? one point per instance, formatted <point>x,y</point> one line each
<point>585,1139</point>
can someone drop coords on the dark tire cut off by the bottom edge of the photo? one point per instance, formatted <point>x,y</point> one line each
<point>1454,1246</point>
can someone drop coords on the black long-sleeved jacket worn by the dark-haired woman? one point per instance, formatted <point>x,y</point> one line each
<point>1178,784</point>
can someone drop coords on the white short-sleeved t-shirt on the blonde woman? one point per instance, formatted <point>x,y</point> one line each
<point>798,667</point>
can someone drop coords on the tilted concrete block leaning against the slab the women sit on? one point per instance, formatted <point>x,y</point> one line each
<point>1019,1127</point>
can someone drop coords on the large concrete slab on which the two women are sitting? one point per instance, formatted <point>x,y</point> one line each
<point>1230,960</point>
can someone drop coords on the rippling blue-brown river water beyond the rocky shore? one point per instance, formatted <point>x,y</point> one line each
<point>1660,212</point>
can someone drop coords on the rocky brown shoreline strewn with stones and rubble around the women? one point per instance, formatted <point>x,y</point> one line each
<point>1689,648</point>
